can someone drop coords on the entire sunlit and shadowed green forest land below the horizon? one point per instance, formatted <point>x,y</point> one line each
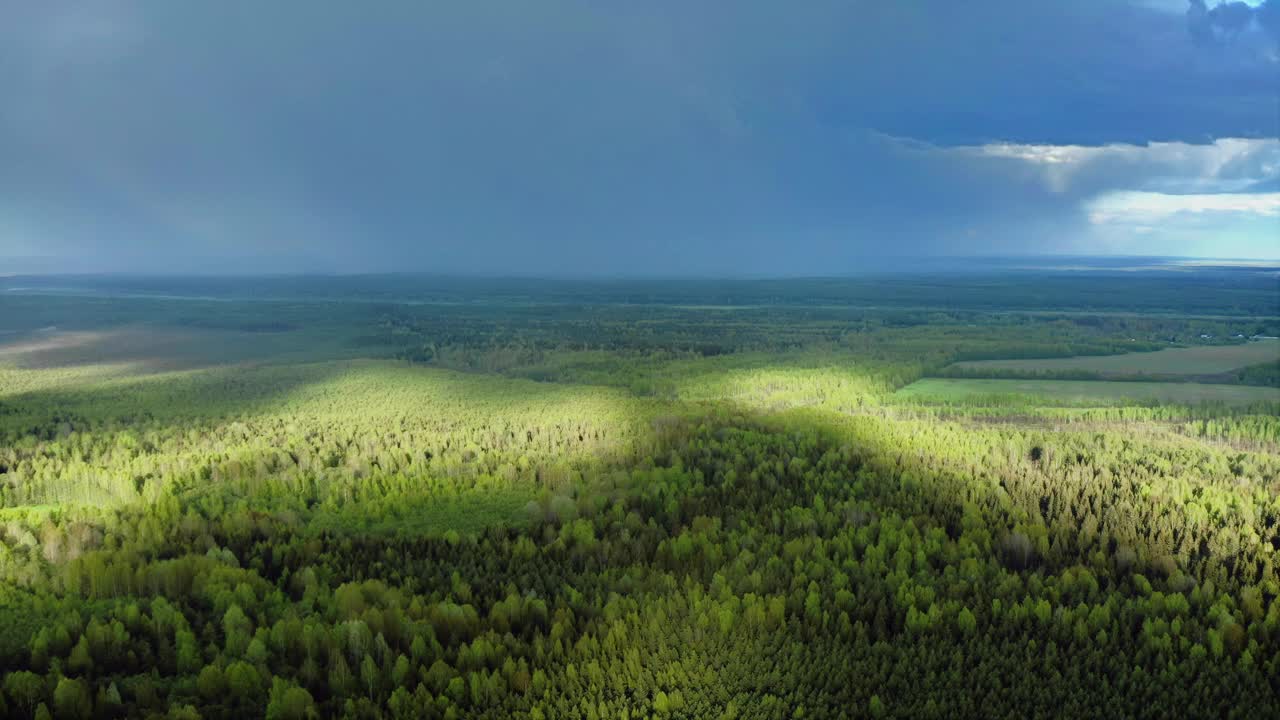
<point>435,498</point>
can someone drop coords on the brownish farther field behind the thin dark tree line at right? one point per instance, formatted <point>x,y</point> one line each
<point>1173,362</point>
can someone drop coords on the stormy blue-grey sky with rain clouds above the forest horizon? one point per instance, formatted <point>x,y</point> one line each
<point>657,138</point>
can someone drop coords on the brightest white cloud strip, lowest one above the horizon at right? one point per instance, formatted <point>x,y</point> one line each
<point>1145,209</point>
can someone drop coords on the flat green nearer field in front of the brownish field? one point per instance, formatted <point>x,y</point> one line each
<point>1084,393</point>
